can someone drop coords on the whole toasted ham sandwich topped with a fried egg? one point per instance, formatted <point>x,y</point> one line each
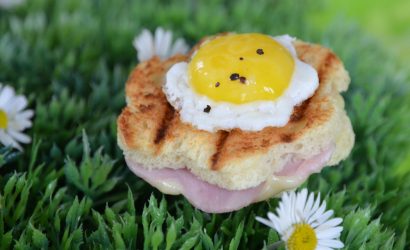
<point>237,120</point>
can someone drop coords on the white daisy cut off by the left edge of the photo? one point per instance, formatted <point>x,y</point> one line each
<point>13,118</point>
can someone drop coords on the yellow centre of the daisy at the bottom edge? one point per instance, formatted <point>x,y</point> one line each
<point>303,237</point>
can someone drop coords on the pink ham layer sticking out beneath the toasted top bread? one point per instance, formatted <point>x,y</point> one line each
<point>213,199</point>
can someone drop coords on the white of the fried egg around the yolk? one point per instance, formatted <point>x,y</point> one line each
<point>253,116</point>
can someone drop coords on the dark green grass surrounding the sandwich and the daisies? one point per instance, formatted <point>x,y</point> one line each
<point>71,189</point>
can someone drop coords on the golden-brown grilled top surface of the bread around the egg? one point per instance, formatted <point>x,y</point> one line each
<point>149,126</point>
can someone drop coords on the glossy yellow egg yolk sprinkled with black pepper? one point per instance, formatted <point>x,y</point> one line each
<point>241,68</point>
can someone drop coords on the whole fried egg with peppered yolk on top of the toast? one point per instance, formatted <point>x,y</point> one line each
<point>246,81</point>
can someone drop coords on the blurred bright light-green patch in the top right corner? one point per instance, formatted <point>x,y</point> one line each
<point>386,20</point>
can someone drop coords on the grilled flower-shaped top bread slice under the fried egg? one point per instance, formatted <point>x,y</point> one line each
<point>151,133</point>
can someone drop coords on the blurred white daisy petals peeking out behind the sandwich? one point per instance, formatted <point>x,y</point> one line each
<point>160,44</point>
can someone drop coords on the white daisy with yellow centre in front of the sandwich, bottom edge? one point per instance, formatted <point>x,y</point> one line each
<point>304,223</point>
